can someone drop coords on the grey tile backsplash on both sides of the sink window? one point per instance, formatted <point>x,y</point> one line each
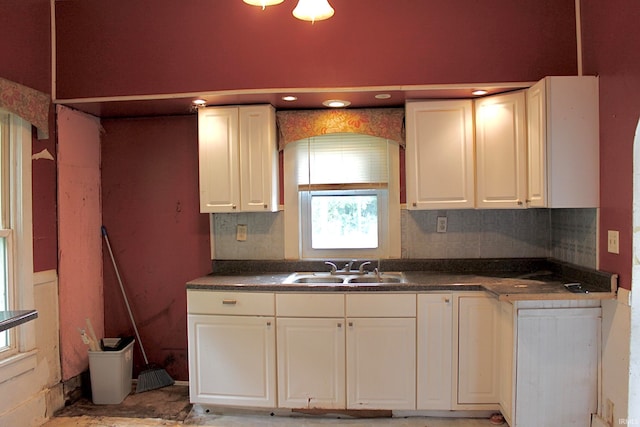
<point>568,235</point>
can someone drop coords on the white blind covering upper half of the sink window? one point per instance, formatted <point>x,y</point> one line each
<point>342,158</point>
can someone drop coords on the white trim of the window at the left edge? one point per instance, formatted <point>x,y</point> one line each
<point>22,224</point>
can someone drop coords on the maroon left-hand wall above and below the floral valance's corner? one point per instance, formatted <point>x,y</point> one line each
<point>25,43</point>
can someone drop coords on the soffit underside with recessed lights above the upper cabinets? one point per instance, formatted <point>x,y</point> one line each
<point>307,98</point>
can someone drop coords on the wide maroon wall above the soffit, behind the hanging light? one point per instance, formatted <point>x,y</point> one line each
<point>132,47</point>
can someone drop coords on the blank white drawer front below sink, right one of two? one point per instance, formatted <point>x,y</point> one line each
<point>381,305</point>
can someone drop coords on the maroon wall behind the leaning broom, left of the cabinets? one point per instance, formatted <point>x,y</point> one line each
<point>159,238</point>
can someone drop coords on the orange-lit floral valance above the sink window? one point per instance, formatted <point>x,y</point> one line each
<point>381,122</point>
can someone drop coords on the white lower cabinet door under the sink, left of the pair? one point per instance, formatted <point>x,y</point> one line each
<point>311,363</point>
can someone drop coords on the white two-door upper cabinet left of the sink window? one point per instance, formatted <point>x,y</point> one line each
<point>238,159</point>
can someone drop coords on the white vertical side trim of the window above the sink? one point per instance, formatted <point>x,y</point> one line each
<point>292,249</point>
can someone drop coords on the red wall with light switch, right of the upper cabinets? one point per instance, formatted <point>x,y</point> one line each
<point>611,46</point>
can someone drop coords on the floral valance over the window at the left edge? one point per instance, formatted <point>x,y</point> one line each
<point>30,104</point>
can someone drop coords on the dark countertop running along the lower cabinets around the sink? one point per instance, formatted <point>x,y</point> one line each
<point>542,280</point>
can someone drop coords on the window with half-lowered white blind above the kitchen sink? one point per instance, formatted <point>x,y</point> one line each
<point>342,191</point>
